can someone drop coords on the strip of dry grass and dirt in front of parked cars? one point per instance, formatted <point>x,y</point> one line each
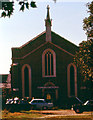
<point>38,115</point>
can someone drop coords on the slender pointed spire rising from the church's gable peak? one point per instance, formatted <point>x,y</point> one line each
<point>48,25</point>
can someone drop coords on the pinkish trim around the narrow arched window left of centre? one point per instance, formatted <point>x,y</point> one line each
<point>23,86</point>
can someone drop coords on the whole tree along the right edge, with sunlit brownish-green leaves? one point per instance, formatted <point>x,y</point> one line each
<point>84,57</point>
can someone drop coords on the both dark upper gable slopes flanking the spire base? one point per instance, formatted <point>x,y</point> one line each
<point>39,40</point>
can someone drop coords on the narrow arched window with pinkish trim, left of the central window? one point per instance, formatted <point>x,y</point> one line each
<point>26,81</point>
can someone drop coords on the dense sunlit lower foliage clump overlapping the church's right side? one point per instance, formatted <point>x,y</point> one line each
<point>83,59</point>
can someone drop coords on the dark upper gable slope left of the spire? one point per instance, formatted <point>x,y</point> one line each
<point>29,46</point>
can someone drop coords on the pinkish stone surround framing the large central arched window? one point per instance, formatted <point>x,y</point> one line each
<point>43,63</point>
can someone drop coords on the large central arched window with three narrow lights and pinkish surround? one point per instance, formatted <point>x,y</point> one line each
<point>49,63</point>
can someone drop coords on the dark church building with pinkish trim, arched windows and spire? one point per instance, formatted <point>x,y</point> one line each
<point>44,68</point>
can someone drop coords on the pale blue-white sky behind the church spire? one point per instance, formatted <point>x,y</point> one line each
<point>67,21</point>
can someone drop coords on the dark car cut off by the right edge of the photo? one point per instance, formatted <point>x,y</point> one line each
<point>87,106</point>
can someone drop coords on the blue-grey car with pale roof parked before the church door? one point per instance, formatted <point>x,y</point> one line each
<point>40,104</point>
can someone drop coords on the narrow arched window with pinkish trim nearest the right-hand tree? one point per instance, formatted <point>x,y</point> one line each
<point>72,80</point>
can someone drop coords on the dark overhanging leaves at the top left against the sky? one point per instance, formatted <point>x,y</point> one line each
<point>8,7</point>
